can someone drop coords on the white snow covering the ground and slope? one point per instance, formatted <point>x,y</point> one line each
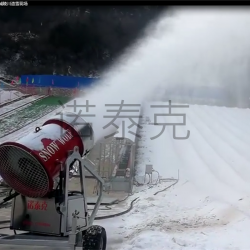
<point>209,208</point>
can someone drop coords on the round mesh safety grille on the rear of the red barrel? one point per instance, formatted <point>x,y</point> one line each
<point>23,172</point>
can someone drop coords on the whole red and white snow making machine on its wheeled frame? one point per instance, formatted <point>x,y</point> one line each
<point>44,210</point>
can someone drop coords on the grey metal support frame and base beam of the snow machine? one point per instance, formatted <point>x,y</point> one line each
<point>74,237</point>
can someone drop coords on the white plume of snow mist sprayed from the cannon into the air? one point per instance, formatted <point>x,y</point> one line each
<point>187,47</point>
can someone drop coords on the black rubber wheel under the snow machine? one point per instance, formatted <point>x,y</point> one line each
<point>94,238</point>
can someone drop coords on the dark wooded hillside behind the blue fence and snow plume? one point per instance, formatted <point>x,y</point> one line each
<point>68,40</point>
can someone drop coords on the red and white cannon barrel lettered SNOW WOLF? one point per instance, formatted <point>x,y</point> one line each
<point>30,164</point>
